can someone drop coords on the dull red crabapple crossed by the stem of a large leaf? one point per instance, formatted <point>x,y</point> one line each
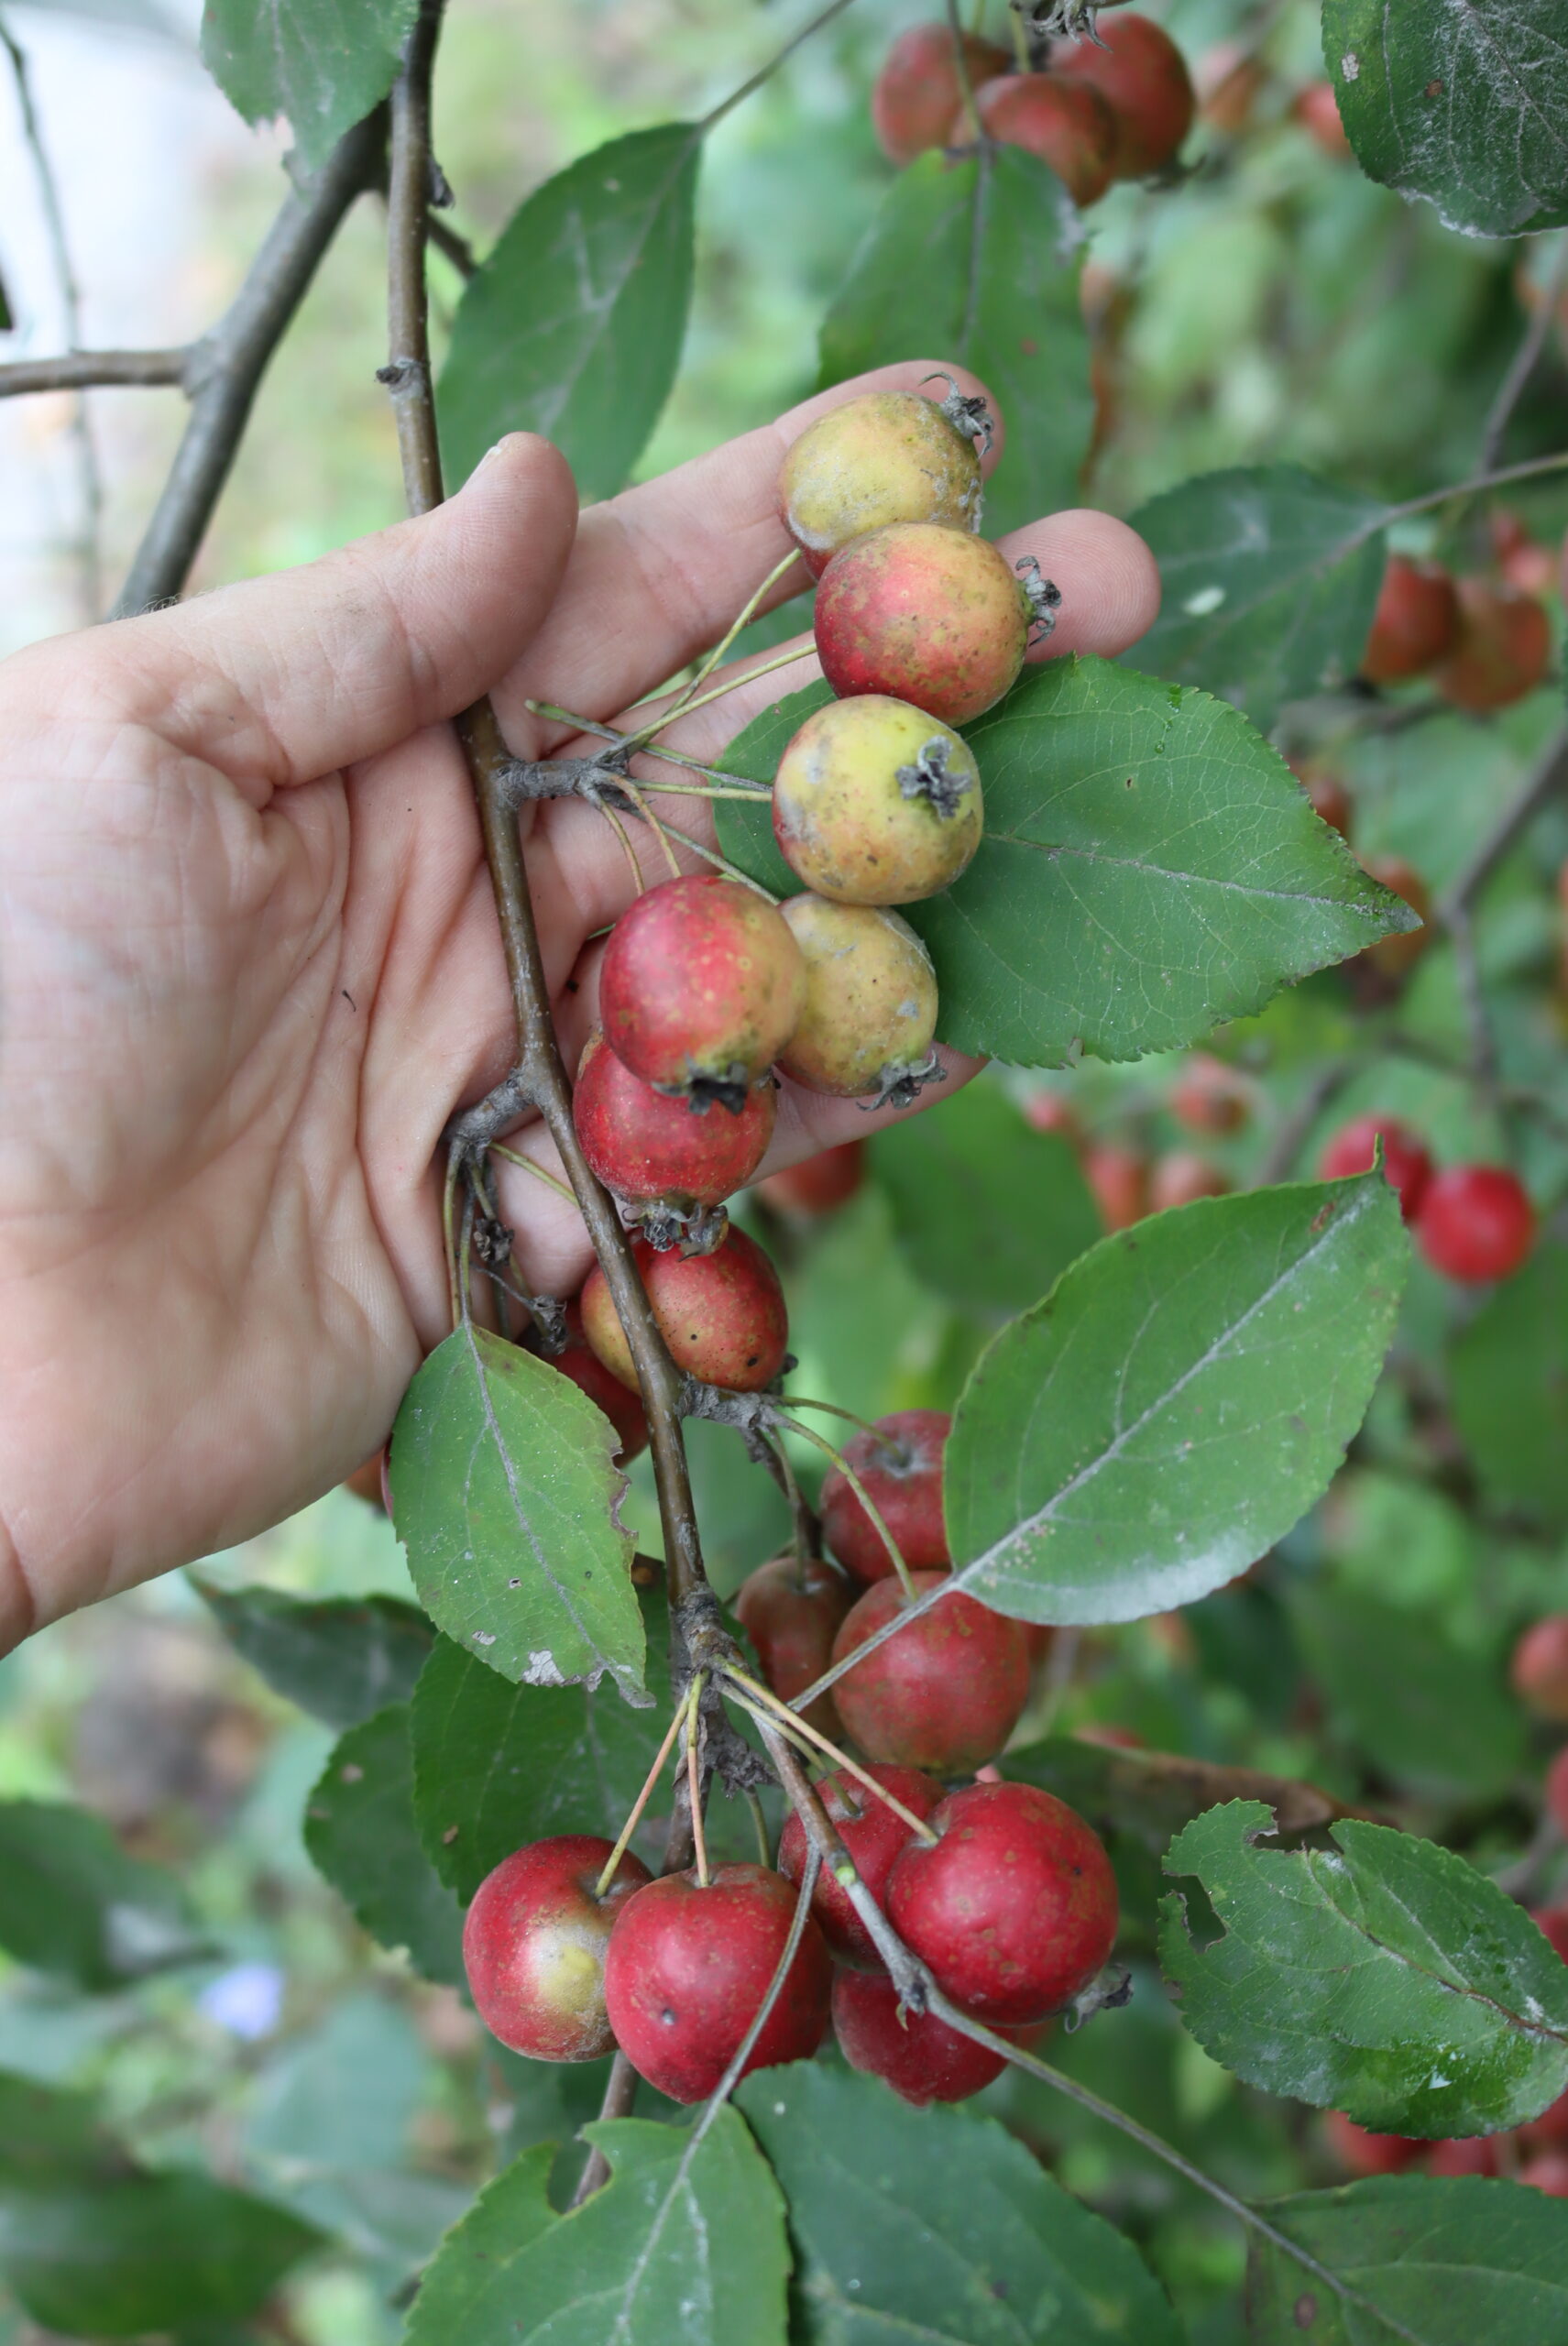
<point>945,1693</point>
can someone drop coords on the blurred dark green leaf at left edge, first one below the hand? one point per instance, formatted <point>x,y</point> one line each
<point>72,1901</point>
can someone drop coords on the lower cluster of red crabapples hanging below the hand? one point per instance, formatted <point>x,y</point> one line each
<point>999,1887</point>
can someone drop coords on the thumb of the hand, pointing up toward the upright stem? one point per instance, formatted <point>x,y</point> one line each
<point>318,667</point>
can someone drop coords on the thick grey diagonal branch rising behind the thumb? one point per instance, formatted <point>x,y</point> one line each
<point>227,365</point>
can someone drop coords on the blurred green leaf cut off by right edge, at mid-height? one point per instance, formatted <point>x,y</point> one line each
<point>1508,1388</point>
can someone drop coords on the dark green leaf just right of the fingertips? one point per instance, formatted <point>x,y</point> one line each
<point>1271,581</point>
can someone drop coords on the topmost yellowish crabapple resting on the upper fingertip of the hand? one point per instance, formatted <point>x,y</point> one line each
<point>888,456</point>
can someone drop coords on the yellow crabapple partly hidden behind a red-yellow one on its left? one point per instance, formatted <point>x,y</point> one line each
<point>870,996</point>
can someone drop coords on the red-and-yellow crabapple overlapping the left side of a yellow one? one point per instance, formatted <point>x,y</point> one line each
<point>701,984</point>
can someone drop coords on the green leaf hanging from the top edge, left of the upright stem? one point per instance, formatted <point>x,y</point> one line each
<point>320,62</point>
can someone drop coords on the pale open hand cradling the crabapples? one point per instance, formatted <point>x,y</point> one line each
<point>250,968</point>
